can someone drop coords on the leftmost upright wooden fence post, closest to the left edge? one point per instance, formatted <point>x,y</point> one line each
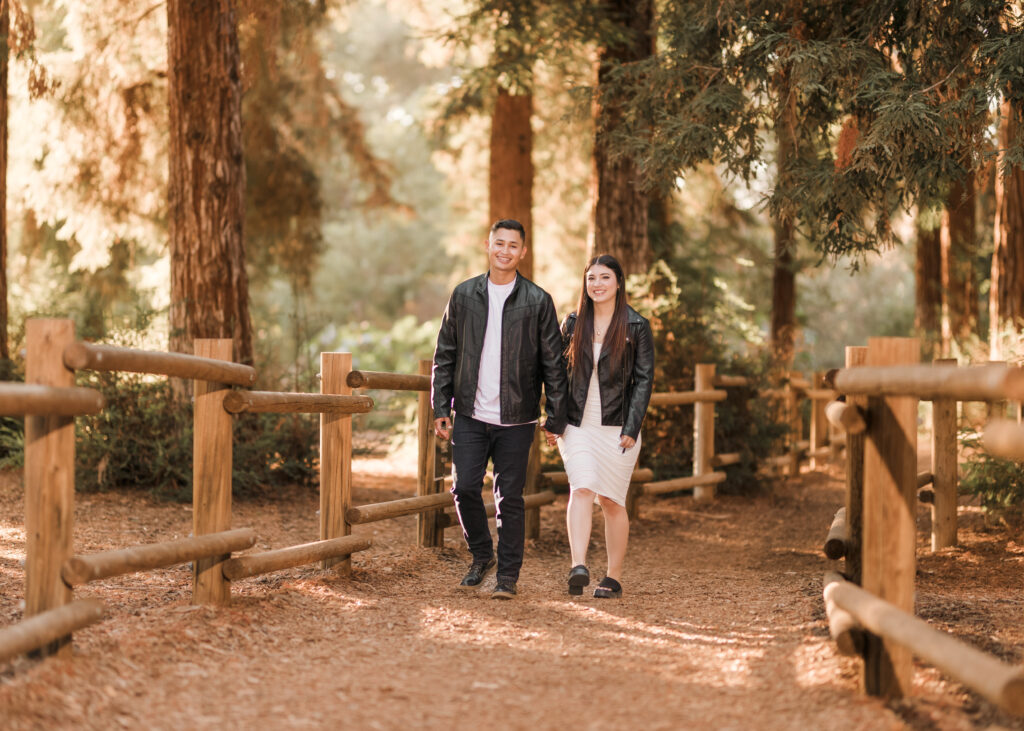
<point>50,478</point>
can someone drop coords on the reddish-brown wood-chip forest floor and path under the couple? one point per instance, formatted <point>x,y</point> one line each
<point>721,625</point>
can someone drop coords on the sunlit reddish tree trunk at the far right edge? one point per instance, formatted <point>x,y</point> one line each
<point>1006,300</point>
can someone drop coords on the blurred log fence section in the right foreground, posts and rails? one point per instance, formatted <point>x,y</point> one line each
<point>871,609</point>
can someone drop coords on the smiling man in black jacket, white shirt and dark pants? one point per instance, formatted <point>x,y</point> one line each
<point>498,343</point>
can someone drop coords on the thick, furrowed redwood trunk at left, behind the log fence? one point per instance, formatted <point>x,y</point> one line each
<point>209,284</point>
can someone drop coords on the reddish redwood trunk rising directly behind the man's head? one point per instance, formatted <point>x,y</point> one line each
<point>511,183</point>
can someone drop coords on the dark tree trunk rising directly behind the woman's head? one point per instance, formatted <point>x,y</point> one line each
<point>620,205</point>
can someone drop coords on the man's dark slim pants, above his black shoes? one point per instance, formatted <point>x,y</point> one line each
<point>474,443</point>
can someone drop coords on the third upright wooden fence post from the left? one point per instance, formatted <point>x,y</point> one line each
<point>336,458</point>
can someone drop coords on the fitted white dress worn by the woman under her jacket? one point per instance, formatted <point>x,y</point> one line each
<point>591,452</point>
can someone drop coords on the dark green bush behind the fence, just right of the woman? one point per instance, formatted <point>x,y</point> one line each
<point>688,332</point>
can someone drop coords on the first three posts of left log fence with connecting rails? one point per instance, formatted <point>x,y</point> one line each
<point>50,402</point>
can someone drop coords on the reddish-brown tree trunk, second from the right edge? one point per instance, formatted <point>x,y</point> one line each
<point>960,283</point>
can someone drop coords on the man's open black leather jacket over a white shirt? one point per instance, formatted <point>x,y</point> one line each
<point>532,355</point>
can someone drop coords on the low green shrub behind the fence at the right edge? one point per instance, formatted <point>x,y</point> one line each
<point>998,484</point>
